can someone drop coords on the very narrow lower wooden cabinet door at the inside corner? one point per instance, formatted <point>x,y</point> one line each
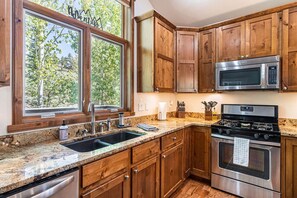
<point>187,152</point>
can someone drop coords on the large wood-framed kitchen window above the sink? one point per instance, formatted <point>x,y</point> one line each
<point>66,54</point>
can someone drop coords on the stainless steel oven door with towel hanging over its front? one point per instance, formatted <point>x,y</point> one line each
<point>264,163</point>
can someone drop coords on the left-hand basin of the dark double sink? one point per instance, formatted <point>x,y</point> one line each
<point>86,145</point>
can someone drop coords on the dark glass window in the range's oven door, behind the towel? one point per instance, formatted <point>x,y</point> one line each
<point>258,161</point>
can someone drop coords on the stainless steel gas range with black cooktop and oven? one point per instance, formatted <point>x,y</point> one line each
<point>259,124</point>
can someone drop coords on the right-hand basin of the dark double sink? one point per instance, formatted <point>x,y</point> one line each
<point>120,137</point>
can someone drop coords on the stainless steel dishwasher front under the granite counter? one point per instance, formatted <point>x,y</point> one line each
<point>59,186</point>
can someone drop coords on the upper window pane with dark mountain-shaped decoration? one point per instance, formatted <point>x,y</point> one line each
<point>104,14</point>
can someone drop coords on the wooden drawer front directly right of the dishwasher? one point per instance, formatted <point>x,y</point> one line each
<point>103,168</point>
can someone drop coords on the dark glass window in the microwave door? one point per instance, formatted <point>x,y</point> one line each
<point>240,77</point>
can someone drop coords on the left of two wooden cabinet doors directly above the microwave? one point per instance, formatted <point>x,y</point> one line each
<point>230,42</point>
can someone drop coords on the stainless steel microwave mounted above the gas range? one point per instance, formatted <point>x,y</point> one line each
<point>253,74</point>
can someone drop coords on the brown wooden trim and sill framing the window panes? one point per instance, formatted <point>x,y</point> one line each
<point>22,123</point>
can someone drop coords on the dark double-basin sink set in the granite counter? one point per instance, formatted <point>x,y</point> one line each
<point>92,144</point>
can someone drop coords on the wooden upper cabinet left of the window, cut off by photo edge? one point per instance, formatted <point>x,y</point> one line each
<point>5,42</point>
